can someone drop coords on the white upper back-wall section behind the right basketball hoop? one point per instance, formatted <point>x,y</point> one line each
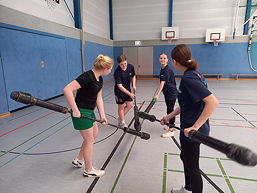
<point>195,16</point>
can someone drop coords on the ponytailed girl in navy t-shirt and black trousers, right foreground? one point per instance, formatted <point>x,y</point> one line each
<point>196,104</point>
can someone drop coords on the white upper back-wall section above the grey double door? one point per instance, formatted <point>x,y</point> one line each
<point>139,20</point>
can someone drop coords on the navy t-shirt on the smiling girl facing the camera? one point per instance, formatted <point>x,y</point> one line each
<point>169,90</point>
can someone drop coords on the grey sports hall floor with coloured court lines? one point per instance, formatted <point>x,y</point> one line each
<point>37,146</point>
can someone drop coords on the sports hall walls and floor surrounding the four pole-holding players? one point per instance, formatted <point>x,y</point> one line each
<point>45,44</point>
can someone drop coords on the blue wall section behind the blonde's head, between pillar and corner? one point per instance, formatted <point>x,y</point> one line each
<point>92,50</point>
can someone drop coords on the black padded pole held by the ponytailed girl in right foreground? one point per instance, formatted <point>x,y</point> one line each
<point>233,151</point>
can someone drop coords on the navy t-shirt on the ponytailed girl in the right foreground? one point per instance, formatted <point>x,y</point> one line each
<point>192,90</point>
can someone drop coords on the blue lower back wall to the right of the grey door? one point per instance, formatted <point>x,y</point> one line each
<point>226,59</point>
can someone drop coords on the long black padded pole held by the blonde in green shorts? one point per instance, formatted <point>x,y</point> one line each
<point>27,98</point>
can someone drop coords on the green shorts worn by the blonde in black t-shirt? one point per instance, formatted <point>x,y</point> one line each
<point>83,123</point>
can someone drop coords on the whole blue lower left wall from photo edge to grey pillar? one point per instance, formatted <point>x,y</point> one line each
<point>22,50</point>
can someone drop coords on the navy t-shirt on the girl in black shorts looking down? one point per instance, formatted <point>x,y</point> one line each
<point>124,78</point>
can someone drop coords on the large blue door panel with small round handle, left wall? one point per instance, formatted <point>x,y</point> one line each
<point>21,56</point>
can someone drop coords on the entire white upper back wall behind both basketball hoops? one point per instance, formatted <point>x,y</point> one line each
<point>142,20</point>
